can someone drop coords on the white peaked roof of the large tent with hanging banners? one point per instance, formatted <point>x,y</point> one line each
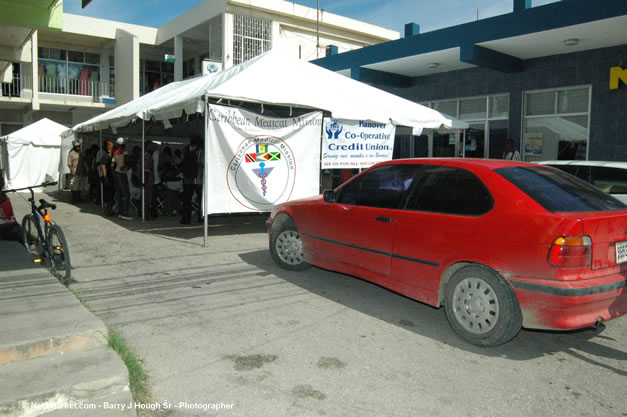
<point>273,78</point>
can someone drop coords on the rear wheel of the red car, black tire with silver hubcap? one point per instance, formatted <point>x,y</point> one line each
<point>481,307</point>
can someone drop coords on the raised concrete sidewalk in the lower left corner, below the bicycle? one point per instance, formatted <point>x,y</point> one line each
<point>53,352</point>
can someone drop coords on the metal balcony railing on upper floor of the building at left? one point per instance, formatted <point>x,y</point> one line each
<point>56,85</point>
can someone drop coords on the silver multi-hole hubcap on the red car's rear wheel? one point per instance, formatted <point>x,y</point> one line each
<point>475,305</point>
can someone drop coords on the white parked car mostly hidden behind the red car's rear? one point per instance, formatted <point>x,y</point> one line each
<point>610,177</point>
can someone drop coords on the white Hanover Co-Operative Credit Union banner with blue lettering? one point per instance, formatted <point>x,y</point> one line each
<point>356,144</point>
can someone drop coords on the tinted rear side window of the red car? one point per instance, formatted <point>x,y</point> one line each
<point>449,190</point>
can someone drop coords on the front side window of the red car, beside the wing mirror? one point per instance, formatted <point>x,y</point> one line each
<point>382,187</point>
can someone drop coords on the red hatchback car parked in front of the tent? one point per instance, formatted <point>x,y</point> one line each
<point>500,244</point>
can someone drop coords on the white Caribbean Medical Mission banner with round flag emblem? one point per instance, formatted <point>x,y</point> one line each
<point>257,162</point>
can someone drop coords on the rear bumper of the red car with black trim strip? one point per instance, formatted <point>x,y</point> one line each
<point>563,305</point>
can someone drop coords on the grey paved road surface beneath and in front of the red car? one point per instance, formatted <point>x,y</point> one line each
<point>223,326</point>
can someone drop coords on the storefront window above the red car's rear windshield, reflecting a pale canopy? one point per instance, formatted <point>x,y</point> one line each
<point>556,125</point>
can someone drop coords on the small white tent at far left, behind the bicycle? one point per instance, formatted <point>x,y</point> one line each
<point>32,155</point>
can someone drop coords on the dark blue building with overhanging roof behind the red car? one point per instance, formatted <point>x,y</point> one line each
<point>551,77</point>
